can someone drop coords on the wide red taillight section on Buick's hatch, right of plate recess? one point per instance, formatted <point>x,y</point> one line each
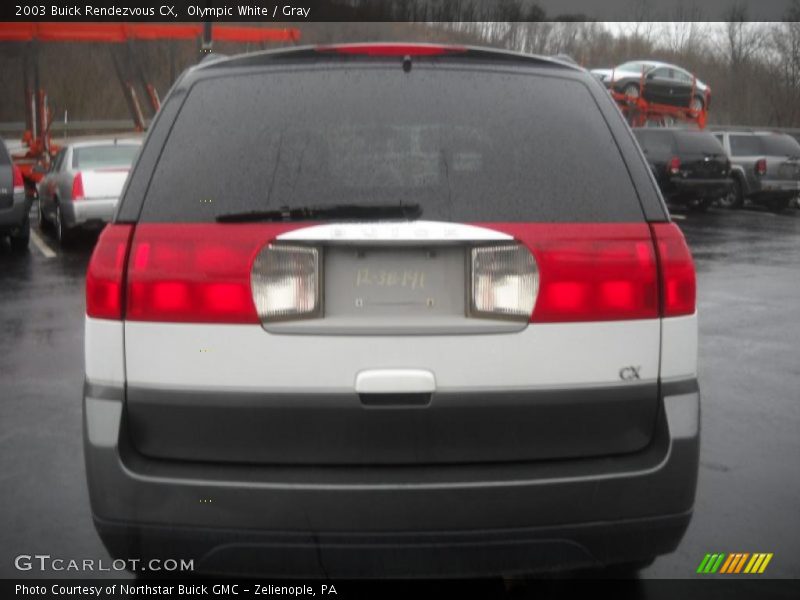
<point>591,272</point>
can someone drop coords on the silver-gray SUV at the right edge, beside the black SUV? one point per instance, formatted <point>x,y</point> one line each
<point>765,168</point>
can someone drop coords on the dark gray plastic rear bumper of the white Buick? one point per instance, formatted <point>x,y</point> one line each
<point>396,520</point>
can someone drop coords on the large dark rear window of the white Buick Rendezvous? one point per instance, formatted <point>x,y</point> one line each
<point>466,145</point>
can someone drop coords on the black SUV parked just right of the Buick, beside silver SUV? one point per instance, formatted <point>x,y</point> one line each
<point>691,167</point>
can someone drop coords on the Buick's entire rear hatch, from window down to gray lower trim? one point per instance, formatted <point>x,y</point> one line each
<point>386,339</point>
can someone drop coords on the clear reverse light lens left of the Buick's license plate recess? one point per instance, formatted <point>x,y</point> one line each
<point>285,281</point>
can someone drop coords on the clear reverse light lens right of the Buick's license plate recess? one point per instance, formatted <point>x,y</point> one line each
<point>504,282</point>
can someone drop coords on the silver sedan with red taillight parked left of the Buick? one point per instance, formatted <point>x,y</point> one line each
<point>83,185</point>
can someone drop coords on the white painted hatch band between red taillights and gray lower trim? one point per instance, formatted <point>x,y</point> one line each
<point>247,358</point>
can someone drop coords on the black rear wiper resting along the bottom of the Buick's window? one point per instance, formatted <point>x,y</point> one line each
<point>343,212</point>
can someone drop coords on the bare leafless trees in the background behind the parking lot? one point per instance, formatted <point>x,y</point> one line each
<point>753,68</point>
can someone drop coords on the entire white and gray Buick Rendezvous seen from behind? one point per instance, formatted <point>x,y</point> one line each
<point>391,310</point>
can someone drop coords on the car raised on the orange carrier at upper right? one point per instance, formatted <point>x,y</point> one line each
<point>664,83</point>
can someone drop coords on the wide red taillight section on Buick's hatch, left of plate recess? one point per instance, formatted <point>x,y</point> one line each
<point>195,272</point>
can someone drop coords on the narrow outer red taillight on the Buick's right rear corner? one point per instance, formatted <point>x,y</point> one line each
<point>678,280</point>
